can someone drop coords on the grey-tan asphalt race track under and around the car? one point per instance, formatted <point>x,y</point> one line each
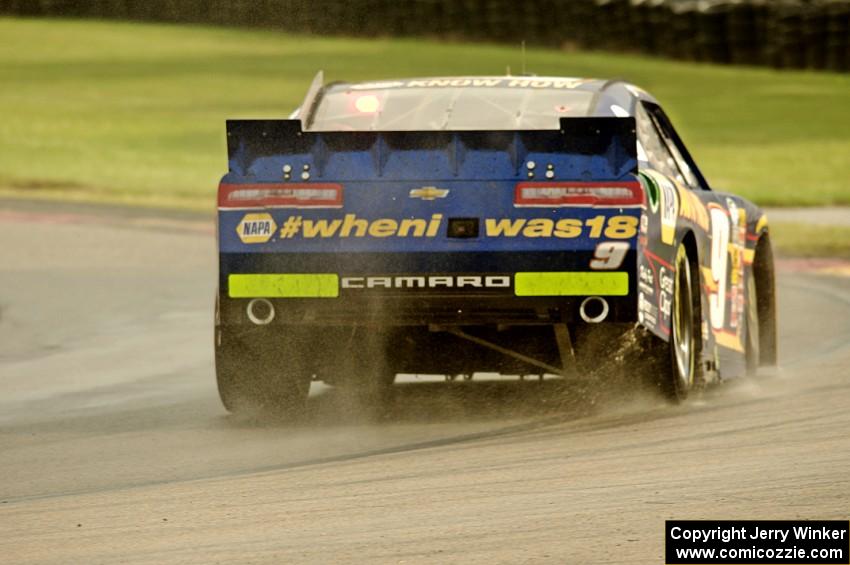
<point>114,447</point>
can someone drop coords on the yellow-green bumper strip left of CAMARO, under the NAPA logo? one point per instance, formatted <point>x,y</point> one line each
<point>283,286</point>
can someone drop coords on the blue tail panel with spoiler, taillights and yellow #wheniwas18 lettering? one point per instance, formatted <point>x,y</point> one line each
<point>398,191</point>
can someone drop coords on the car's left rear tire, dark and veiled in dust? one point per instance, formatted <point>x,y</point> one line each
<point>255,377</point>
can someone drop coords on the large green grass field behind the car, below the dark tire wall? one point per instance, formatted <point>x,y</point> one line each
<point>135,112</point>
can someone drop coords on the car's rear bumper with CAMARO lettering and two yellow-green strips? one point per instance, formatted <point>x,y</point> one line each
<point>342,296</point>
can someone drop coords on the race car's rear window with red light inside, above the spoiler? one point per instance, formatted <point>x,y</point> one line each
<point>433,109</point>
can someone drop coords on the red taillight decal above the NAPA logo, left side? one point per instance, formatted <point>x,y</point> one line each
<point>280,195</point>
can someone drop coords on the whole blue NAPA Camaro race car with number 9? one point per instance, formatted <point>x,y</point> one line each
<point>453,225</point>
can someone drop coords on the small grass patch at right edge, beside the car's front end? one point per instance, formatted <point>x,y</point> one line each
<point>806,240</point>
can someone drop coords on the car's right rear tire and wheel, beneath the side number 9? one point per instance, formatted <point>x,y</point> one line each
<point>679,364</point>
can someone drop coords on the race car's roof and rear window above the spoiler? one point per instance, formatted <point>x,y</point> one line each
<point>467,103</point>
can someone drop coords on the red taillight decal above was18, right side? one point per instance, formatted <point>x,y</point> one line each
<point>554,194</point>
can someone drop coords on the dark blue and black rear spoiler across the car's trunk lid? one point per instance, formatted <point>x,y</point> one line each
<point>582,149</point>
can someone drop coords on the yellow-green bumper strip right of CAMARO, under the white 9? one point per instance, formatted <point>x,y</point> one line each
<point>592,283</point>
